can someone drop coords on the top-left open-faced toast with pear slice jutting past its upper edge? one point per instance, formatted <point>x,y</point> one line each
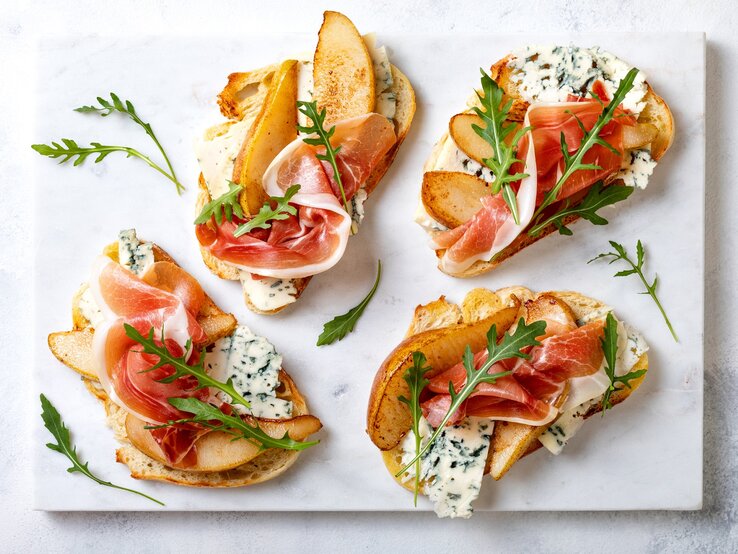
<point>284,180</point>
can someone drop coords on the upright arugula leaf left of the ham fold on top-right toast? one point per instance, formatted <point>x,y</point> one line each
<point>494,114</point>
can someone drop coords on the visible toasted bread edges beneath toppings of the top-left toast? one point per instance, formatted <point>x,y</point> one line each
<point>233,105</point>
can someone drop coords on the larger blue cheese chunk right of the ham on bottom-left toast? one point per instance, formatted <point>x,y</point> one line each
<point>253,365</point>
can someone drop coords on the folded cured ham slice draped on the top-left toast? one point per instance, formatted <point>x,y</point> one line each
<point>314,239</point>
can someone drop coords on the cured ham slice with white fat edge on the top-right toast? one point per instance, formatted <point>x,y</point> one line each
<point>493,228</point>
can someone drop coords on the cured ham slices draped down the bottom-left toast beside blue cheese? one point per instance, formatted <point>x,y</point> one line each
<point>165,299</point>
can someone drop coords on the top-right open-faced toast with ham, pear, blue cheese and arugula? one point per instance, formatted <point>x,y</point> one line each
<point>555,134</point>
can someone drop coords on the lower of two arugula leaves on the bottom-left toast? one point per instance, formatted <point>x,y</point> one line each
<point>204,414</point>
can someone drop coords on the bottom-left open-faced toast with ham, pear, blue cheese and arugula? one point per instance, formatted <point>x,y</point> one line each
<point>194,398</point>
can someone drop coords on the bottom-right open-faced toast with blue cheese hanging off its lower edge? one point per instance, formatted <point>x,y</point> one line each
<point>473,388</point>
